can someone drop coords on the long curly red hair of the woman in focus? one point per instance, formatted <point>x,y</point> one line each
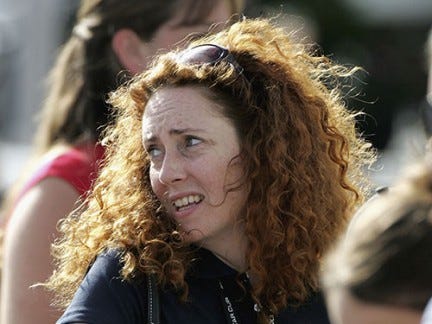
<point>304,166</point>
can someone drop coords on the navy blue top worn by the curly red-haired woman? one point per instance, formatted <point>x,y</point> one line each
<point>104,298</point>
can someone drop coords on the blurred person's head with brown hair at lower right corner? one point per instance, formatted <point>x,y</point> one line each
<point>380,272</point>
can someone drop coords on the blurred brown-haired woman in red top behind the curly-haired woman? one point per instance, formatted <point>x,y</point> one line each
<point>111,40</point>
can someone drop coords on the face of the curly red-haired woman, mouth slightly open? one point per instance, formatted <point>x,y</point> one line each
<point>194,163</point>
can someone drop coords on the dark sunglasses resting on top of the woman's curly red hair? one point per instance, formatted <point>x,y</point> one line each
<point>209,54</point>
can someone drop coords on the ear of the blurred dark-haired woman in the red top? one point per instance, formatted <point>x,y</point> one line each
<point>130,50</point>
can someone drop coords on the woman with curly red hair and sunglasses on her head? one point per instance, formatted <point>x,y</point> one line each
<point>230,169</point>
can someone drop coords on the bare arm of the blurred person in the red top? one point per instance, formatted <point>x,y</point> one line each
<point>27,259</point>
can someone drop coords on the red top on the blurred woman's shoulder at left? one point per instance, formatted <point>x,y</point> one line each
<point>78,166</point>
